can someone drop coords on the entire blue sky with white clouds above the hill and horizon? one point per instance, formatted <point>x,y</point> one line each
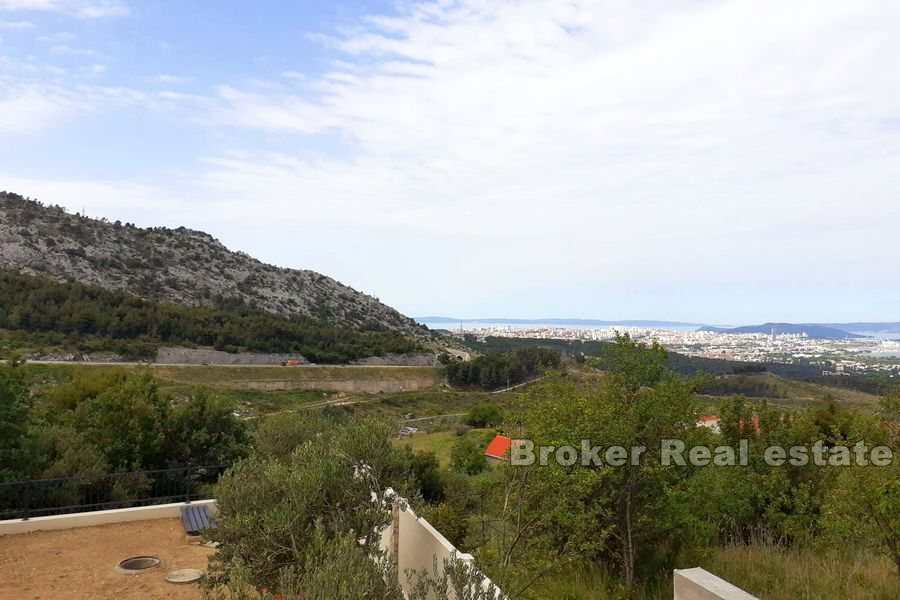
<point>716,161</point>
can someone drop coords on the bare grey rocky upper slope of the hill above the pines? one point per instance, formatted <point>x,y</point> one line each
<point>176,265</point>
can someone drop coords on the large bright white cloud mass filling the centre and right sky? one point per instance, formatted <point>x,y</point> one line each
<point>596,139</point>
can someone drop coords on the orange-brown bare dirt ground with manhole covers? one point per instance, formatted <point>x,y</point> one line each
<point>81,563</point>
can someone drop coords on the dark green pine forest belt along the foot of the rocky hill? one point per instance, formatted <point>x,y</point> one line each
<point>41,311</point>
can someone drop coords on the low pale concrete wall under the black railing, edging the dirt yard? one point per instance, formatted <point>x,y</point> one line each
<point>100,517</point>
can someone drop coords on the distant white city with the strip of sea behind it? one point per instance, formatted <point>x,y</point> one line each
<point>874,351</point>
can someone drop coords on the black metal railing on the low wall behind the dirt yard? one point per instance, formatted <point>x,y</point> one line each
<point>43,497</point>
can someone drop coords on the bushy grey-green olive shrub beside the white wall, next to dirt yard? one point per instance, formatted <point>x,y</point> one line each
<point>274,509</point>
